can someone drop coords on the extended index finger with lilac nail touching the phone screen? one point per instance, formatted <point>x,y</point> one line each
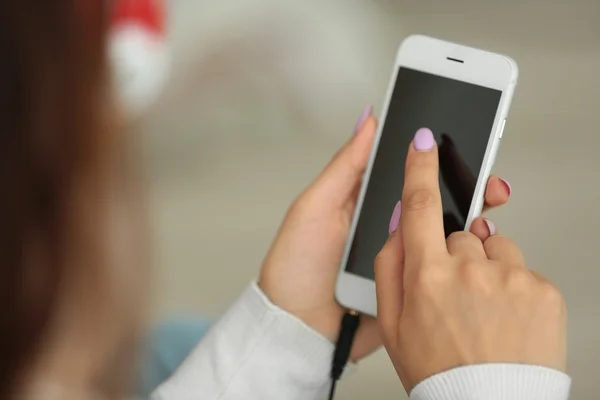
<point>422,214</point>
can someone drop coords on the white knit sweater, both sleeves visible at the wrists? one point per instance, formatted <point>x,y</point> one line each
<point>258,351</point>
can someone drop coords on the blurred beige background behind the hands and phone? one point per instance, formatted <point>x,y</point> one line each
<point>264,92</point>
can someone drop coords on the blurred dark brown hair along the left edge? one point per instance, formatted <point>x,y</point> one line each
<point>51,103</point>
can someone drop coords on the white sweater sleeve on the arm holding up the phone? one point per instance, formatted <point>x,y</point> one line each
<point>255,351</point>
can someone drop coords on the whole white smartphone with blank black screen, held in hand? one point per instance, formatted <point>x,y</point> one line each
<point>463,95</point>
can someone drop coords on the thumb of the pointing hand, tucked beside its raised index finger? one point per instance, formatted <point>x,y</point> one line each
<point>389,278</point>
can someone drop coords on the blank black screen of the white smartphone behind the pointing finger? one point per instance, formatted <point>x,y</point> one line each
<point>461,116</point>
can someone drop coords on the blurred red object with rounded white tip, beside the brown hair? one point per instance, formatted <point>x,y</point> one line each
<point>138,53</point>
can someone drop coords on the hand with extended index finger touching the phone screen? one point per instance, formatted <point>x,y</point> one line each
<point>461,301</point>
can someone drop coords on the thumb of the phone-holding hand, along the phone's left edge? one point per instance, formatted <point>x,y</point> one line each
<point>338,182</point>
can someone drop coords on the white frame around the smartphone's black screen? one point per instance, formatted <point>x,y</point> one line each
<point>448,60</point>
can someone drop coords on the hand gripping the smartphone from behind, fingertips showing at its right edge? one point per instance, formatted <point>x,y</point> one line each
<point>301,268</point>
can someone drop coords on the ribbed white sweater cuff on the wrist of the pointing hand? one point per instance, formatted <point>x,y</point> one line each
<point>495,382</point>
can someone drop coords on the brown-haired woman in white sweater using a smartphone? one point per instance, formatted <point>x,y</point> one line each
<point>71,257</point>
